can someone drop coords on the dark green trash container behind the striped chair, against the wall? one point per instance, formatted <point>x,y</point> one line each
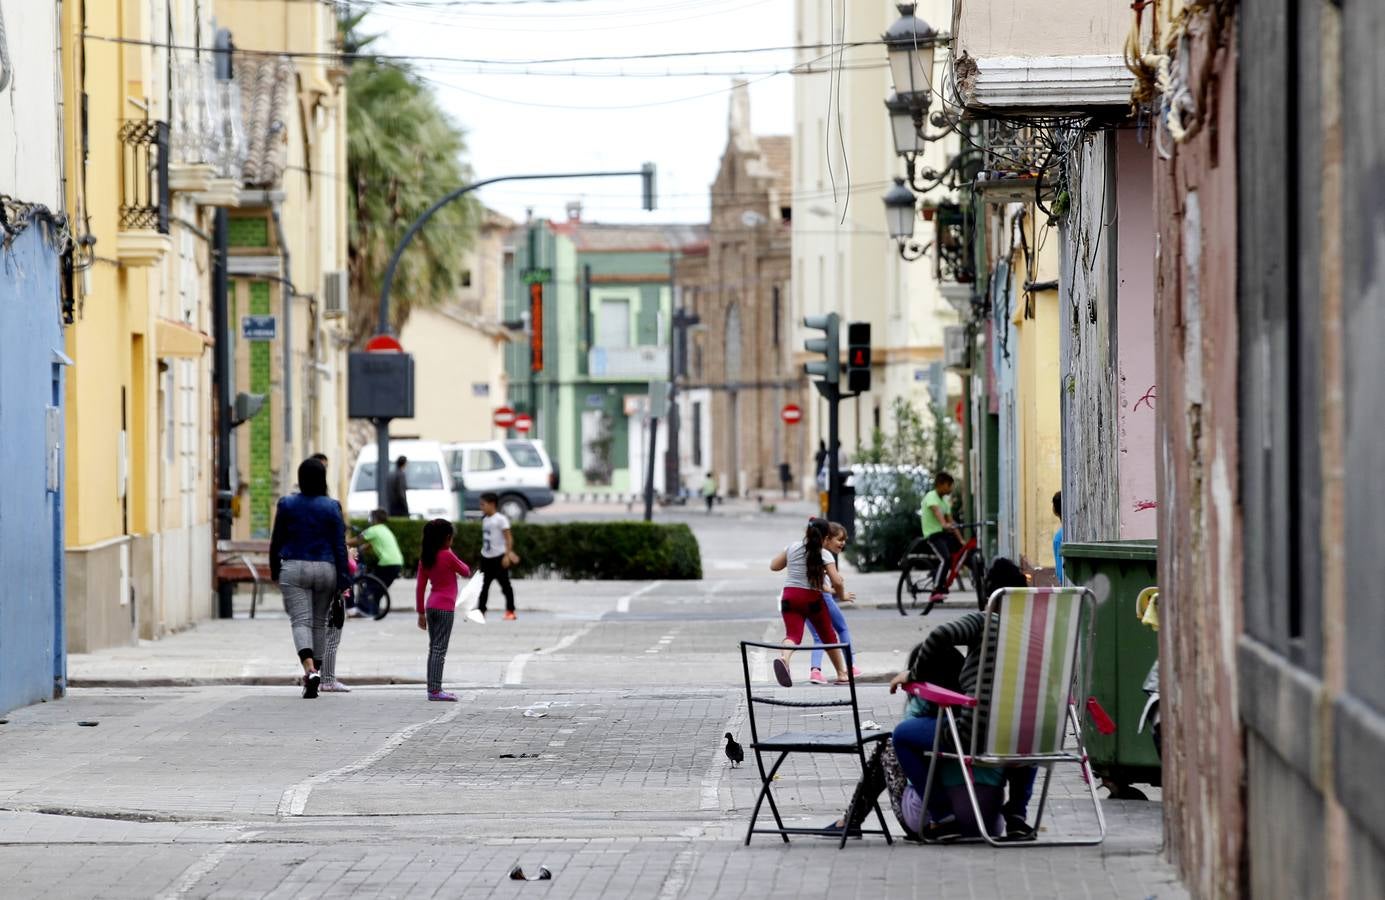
<point>1124,651</point>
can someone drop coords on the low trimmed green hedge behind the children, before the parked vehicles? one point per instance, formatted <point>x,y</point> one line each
<point>628,552</point>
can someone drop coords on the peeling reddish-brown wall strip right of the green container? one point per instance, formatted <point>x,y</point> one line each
<point>1200,574</point>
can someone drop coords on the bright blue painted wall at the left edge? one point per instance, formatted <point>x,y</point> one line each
<point>33,660</point>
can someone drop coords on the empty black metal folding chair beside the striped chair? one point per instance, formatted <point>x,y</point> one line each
<point>843,743</point>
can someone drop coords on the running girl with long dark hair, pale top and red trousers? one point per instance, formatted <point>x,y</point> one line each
<point>810,567</point>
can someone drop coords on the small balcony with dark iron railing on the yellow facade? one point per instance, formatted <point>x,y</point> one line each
<point>143,237</point>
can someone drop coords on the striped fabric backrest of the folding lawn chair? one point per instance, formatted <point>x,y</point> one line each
<point>1035,654</point>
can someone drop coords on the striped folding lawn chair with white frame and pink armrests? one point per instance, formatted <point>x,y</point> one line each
<point>1039,642</point>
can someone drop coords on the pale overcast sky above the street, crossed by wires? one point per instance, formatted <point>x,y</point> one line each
<point>596,116</point>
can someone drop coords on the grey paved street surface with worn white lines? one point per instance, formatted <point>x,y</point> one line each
<point>588,739</point>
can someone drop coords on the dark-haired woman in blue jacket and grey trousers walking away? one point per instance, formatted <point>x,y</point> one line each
<point>308,559</point>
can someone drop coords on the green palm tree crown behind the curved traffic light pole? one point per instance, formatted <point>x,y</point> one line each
<point>402,154</point>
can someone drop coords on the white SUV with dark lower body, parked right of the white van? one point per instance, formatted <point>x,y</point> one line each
<point>519,470</point>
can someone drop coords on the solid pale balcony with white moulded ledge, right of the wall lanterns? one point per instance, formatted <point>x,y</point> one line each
<point>1023,56</point>
